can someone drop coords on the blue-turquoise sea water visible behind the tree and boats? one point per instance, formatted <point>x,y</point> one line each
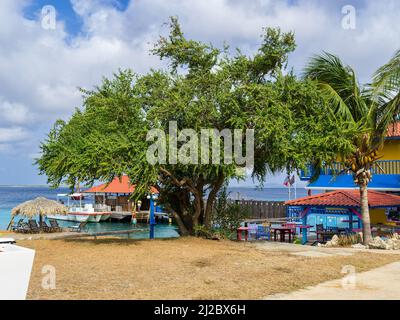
<point>11,196</point>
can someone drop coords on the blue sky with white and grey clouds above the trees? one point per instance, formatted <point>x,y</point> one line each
<point>41,67</point>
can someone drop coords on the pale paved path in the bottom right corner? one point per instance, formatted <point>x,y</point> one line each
<point>378,284</point>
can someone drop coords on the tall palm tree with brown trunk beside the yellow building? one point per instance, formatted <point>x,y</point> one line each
<point>369,108</point>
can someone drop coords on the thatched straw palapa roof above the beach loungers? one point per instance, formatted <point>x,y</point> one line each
<point>39,206</point>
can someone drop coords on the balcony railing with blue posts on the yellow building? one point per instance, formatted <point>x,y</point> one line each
<point>387,166</point>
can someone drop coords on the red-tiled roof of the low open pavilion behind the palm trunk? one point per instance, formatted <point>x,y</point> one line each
<point>347,198</point>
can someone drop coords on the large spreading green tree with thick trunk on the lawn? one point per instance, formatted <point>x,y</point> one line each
<point>203,87</point>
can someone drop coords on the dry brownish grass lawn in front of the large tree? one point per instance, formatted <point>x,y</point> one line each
<point>186,268</point>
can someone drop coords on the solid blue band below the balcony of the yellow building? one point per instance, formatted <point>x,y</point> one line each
<point>384,182</point>
